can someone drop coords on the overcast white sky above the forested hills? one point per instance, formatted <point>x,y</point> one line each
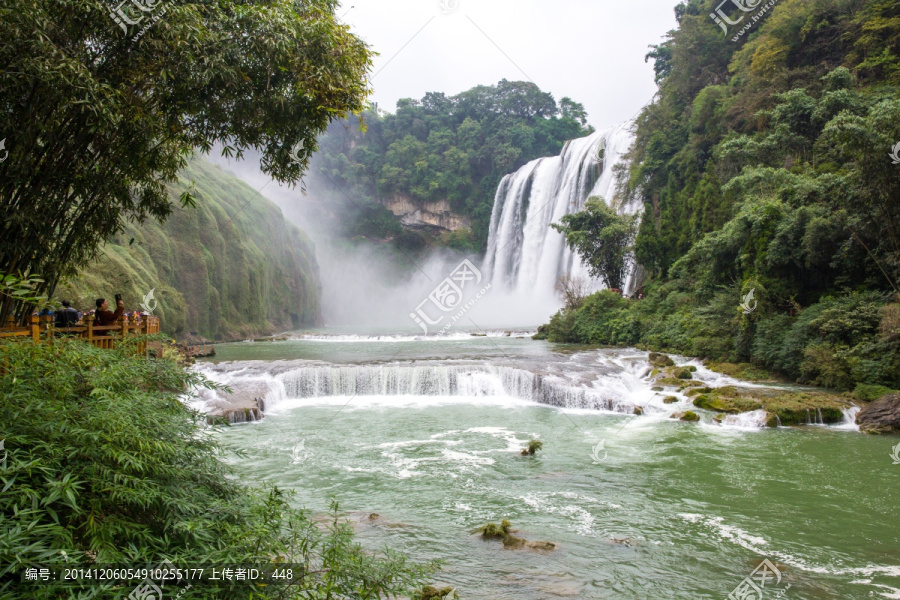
<point>590,50</point>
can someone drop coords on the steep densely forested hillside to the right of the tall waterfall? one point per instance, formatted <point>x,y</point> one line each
<point>764,165</point>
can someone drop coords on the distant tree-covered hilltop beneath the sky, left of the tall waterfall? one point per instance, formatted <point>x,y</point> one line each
<point>453,150</point>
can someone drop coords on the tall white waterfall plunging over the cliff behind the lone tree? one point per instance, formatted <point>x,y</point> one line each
<point>525,255</point>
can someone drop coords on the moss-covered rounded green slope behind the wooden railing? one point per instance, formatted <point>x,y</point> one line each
<point>230,268</point>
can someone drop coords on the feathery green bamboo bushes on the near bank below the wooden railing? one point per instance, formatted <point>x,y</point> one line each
<point>103,464</point>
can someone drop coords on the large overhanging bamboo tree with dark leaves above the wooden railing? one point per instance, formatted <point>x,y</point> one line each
<point>98,117</point>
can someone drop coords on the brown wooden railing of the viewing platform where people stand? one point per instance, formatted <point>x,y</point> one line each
<point>43,330</point>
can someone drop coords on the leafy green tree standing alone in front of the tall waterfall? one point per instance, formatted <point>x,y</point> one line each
<point>602,237</point>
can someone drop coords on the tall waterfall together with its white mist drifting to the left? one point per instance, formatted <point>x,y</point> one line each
<point>375,286</point>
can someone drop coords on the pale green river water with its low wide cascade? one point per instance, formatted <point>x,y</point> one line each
<point>659,509</point>
